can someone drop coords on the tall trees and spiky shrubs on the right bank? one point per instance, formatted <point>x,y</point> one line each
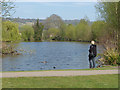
<point>110,13</point>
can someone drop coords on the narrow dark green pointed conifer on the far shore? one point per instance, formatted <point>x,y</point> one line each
<point>38,29</point>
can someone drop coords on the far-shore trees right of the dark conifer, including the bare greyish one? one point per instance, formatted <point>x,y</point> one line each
<point>83,31</point>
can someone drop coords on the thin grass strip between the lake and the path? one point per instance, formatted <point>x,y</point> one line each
<point>100,68</point>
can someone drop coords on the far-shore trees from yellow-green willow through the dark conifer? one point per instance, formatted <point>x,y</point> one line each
<point>12,32</point>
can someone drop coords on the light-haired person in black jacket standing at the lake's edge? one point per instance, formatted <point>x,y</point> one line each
<point>92,54</point>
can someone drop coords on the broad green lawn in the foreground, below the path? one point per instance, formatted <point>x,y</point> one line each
<point>92,81</point>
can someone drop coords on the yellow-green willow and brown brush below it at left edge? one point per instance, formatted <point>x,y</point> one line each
<point>10,33</point>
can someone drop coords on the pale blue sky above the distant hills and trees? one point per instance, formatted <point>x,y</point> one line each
<point>66,10</point>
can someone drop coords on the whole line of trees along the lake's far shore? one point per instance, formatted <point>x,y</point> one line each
<point>54,29</point>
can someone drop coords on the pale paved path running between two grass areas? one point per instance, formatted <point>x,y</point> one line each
<point>57,73</point>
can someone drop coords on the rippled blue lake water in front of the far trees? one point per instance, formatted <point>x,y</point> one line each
<point>61,55</point>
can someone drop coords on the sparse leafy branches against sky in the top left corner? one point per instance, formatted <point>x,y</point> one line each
<point>8,8</point>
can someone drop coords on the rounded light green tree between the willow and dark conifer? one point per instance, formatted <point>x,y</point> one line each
<point>27,33</point>
